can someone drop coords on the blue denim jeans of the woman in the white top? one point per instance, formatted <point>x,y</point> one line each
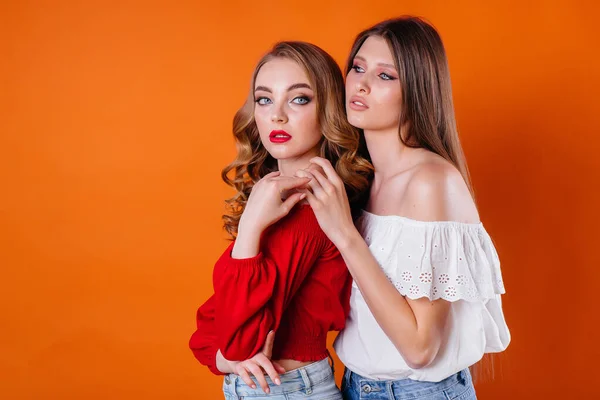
<point>456,387</point>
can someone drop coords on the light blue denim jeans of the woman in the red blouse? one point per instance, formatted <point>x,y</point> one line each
<point>315,381</point>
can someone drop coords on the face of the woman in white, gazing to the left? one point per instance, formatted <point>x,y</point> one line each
<point>373,92</point>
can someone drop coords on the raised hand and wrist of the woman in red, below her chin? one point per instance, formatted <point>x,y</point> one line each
<point>265,207</point>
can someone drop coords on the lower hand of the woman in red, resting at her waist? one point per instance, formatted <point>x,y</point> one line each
<point>259,364</point>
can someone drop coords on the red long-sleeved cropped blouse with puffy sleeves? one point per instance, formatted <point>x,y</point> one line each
<point>298,285</point>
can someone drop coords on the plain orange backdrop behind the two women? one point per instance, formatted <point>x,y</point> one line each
<point>115,123</point>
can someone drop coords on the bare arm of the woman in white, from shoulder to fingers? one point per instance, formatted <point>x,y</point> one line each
<point>414,326</point>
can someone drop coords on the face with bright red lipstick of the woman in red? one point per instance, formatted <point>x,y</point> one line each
<point>286,111</point>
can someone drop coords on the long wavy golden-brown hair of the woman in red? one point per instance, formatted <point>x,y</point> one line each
<point>341,143</point>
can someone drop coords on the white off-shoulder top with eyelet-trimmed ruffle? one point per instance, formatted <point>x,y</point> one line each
<point>453,261</point>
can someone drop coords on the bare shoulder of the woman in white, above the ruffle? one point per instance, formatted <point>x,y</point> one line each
<point>437,191</point>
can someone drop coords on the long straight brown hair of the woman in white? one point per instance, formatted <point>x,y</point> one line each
<point>427,108</point>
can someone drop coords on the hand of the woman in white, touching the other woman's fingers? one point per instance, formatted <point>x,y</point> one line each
<point>329,201</point>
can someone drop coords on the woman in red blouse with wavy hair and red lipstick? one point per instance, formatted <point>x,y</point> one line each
<point>281,281</point>
